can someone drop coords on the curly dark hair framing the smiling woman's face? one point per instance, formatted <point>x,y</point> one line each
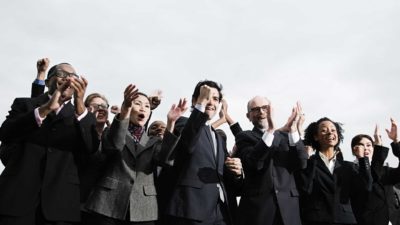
<point>312,130</point>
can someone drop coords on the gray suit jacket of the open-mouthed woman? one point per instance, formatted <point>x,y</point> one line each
<point>128,182</point>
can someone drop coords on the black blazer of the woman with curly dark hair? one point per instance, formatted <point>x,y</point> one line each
<point>325,197</point>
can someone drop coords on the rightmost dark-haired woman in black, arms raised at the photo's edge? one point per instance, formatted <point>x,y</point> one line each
<point>372,208</point>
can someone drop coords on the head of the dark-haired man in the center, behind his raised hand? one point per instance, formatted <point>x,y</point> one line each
<point>214,101</point>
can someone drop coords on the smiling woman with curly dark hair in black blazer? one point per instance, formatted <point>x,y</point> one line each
<point>328,182</point>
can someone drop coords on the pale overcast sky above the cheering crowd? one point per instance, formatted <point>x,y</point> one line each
<point>339,58</point>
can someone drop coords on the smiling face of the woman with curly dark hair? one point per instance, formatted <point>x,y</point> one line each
<point>327,135</point>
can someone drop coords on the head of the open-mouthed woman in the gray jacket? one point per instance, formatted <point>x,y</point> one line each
<point>140,111</point>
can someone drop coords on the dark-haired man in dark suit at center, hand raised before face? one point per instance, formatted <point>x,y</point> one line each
<point>202,167</point>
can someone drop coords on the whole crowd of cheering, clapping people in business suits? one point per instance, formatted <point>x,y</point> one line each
<point>70,158</point>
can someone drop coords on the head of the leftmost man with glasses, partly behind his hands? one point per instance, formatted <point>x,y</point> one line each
<point>57,76</point>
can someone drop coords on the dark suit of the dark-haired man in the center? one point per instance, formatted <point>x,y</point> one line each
<point>199,170</point>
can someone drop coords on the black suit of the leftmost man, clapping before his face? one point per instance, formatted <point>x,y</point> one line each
<point>43,168</point>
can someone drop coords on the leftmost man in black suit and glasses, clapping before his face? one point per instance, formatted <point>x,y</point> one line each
<point>40,183</point>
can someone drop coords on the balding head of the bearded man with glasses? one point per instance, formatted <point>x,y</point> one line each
<point>257,109</point>
